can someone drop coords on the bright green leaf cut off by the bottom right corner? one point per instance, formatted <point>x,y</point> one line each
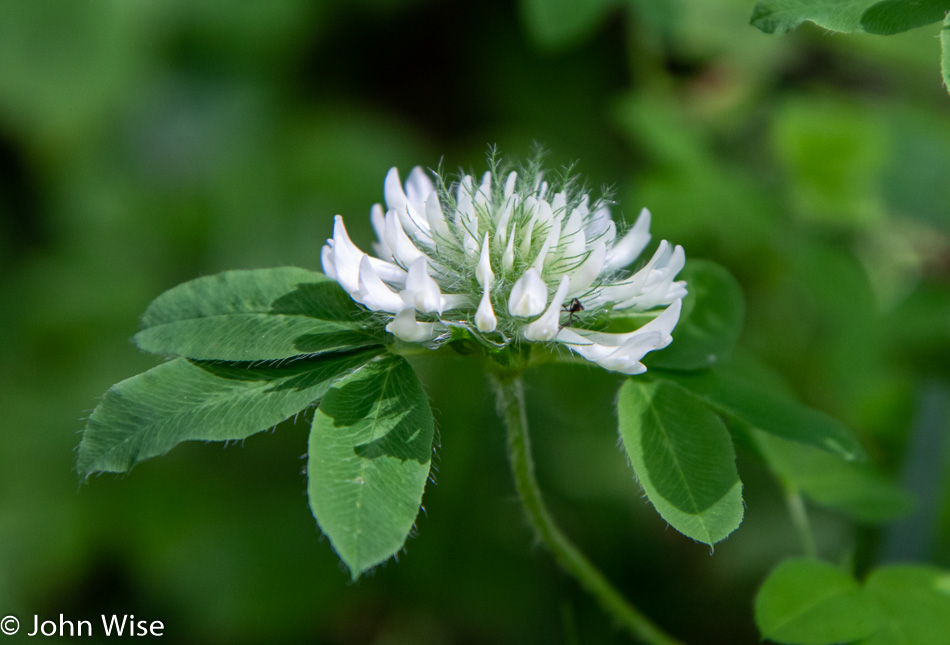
<point>914,605</point>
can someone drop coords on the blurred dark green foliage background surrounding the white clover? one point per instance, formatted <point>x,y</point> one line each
<point>148,142</point>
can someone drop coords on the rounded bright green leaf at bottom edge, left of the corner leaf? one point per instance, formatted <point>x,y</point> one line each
<point>809,602</point>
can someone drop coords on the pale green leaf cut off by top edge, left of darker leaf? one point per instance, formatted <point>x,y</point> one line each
<point>780,16</point>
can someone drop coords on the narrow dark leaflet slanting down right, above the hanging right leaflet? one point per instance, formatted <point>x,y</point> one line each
<point>767,408</point>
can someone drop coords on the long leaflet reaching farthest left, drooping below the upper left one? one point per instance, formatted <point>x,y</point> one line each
<point>181,400</point>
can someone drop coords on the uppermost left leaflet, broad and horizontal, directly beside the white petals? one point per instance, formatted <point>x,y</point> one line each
<point>267,314</point>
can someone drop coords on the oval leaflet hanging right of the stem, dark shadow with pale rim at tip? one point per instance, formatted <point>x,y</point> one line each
<point>683,456</point>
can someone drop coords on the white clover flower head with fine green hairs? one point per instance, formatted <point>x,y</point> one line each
<point>510,258</point>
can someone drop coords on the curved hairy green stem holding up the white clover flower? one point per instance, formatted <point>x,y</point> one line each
<point>510,395</point>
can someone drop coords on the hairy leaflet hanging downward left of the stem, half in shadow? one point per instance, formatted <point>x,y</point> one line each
<point>369,456</point>
